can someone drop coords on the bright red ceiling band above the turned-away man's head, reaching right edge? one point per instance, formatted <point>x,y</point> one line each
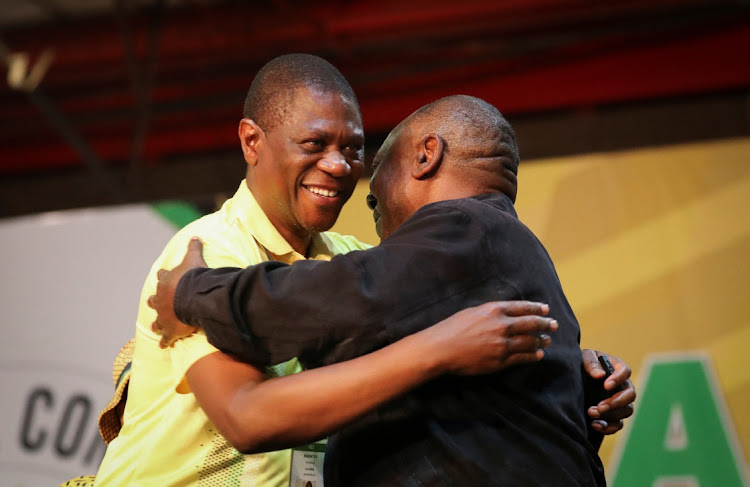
<point>713,62</point>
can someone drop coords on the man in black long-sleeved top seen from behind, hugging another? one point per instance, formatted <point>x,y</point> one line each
<point>442,195</point>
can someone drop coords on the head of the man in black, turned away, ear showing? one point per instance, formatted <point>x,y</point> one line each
<point>456,147</point>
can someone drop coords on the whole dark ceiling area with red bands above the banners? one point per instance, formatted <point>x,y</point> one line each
<point>141,99</point>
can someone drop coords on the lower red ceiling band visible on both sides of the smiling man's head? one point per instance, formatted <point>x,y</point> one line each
<point>706,64</point>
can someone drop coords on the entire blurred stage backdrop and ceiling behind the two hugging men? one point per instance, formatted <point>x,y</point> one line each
<point>119,125</point>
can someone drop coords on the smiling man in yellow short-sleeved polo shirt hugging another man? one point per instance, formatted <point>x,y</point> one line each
<point>303,141</point>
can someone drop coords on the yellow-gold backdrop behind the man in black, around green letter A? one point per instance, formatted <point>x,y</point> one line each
<point>653,250</point>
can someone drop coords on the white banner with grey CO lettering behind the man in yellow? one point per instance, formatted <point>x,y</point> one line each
<point>69,297</point>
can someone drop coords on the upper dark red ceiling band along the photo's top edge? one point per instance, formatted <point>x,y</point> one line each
<point>209,35</point>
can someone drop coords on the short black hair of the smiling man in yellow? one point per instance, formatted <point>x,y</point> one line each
<point>272,91</point>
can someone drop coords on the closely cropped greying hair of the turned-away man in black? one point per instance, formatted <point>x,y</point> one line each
<point>479,142</point>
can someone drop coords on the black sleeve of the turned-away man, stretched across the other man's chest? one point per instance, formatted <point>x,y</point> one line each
<point>325,312</point>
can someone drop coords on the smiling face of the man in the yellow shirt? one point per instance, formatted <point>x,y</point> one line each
<point>308,166</point>
